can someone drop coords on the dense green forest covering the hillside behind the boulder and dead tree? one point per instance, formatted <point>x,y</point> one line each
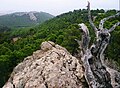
<point>62,30</point>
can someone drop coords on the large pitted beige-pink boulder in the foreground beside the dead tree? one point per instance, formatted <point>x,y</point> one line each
<point>51,67</point>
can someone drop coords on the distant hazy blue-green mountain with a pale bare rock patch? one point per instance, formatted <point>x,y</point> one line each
<point>24,19</point>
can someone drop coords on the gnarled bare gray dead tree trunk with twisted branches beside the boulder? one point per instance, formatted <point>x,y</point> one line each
<point>97,74</point>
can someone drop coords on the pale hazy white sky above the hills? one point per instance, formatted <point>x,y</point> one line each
<point>55,7</point>
